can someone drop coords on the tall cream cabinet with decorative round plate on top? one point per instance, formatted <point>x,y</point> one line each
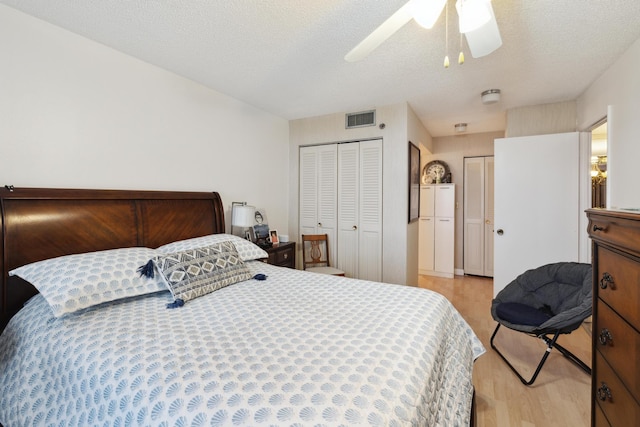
<point>437,230</point>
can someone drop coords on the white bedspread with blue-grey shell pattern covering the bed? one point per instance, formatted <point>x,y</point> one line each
<point>297,349</point>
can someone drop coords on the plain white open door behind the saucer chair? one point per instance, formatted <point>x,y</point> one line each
<point>536,203</point>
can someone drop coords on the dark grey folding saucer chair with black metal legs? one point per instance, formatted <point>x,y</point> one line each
<point>545,302</point>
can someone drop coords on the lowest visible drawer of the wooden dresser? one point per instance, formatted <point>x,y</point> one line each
<point>613,398</point>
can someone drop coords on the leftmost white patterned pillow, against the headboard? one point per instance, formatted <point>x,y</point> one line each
<point>73,282</point>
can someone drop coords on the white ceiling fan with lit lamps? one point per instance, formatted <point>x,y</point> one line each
<point>476,21</point>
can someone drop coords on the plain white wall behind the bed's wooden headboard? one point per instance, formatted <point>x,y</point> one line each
<point>77,114</point>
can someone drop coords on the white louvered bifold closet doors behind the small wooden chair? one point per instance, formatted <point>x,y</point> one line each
<point>341,195</point>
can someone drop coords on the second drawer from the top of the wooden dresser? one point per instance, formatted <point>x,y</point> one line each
<point>618,281</point>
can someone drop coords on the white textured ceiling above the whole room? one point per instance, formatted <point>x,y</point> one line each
<point>286,56</point>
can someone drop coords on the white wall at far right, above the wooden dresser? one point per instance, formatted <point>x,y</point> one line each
<point>616,94</point>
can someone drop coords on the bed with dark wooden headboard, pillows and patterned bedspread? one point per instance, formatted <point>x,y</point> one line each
<point>296,348</point>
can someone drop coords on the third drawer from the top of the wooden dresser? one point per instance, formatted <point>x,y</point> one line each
<point>619,344</point>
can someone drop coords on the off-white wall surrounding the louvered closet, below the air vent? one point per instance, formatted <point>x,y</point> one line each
<point>397,256</point>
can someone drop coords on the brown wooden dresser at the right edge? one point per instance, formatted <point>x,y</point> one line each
<point>615,383</point>
